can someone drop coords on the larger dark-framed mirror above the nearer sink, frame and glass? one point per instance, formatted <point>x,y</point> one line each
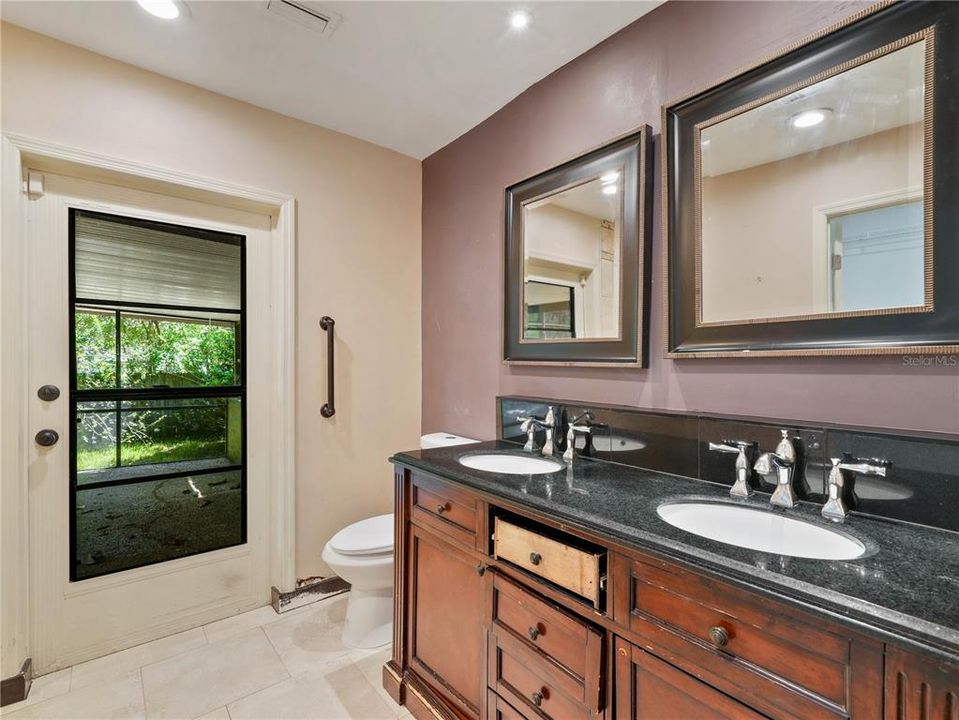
<point>808,207</point>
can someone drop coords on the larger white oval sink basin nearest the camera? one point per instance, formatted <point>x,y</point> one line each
<point>759,529</point>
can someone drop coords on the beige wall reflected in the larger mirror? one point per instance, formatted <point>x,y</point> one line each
<point>758,223</point>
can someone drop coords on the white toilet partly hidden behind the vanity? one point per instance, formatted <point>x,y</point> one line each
<point>362,554</point>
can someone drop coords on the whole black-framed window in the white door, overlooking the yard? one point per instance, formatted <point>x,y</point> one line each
<point>157,393</point>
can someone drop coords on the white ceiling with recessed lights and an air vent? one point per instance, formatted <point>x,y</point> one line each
<point>410,76</point>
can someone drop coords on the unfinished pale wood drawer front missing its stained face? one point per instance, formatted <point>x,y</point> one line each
<point>576,569</point>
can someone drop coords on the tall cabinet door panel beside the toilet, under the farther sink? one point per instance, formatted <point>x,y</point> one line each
<point>447,640</point>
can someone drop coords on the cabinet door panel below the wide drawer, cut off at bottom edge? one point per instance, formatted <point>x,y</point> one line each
<point>649,689</point>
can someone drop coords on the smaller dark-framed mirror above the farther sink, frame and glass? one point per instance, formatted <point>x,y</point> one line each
<point>577,258</point>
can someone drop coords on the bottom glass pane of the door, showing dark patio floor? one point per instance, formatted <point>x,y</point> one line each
<point>143,523</point>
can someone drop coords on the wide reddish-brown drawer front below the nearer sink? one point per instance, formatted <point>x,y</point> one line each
<point>745,641</point>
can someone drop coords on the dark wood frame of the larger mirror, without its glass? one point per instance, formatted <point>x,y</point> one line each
<point>934,330</point>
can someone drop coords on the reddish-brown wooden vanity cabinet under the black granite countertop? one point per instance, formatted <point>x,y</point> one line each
<point>484,633</point>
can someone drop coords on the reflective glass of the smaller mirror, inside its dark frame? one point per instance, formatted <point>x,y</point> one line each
<point>572,249</point>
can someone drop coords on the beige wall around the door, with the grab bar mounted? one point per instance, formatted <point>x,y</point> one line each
<point>358,249</point>
